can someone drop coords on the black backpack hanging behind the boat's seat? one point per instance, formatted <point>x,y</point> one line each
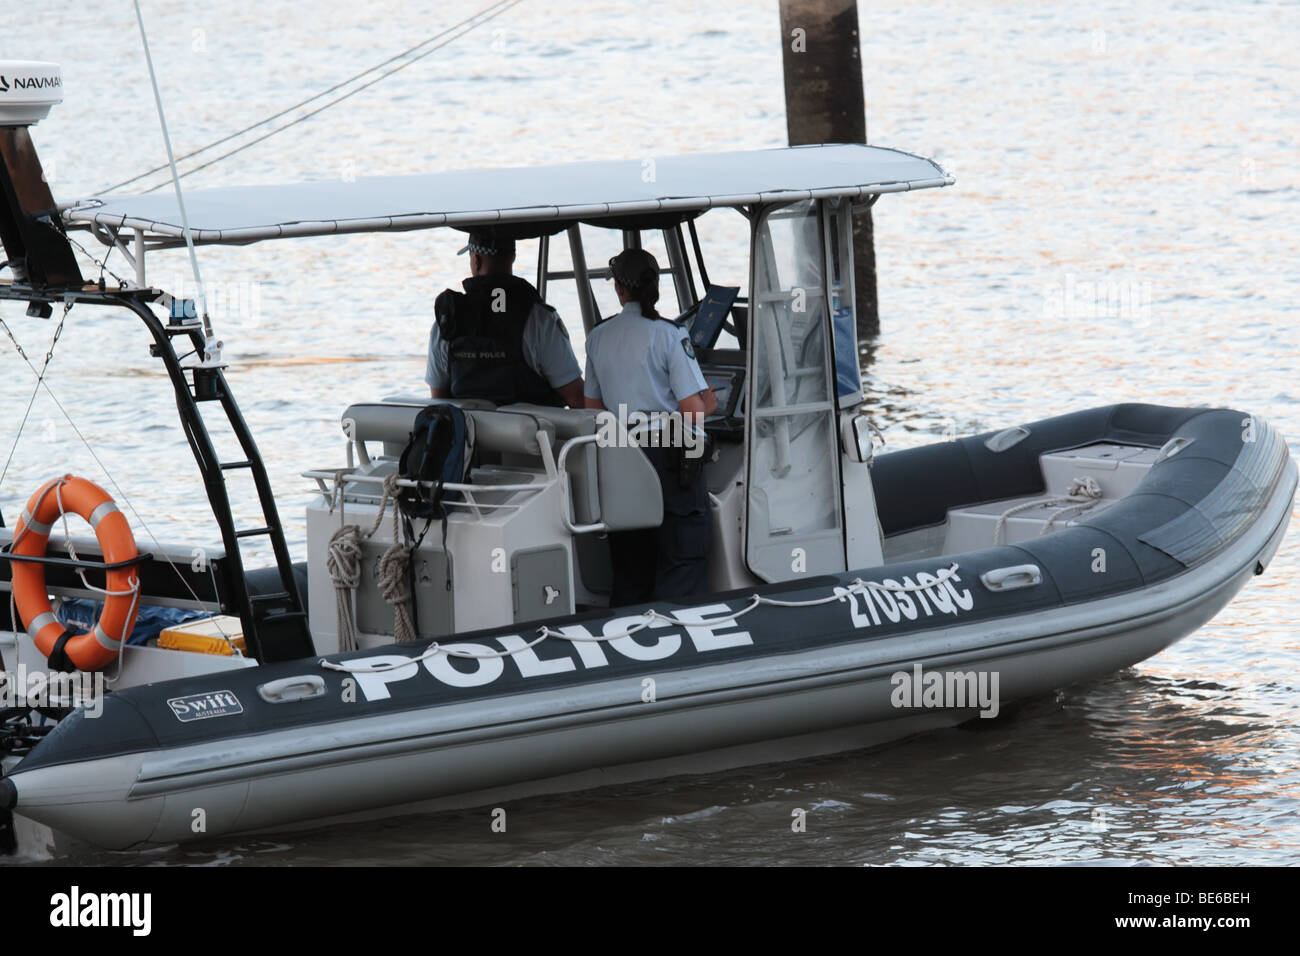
<point>437,453</point>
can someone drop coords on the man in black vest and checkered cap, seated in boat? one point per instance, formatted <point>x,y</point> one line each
<point>499,340</point>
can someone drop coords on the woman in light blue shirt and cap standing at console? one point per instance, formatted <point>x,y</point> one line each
<point>639,361</point>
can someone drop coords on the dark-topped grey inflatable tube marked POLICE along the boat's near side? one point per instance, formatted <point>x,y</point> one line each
<point>223,754</point>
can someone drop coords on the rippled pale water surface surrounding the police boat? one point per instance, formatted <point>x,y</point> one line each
<point>1124,228</point>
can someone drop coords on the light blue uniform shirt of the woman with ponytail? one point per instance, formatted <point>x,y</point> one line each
<point>642,364</point>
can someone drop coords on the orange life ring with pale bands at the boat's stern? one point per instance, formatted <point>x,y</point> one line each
<point>99,646</point>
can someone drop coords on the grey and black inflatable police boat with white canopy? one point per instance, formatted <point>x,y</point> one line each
<point>462,660</point>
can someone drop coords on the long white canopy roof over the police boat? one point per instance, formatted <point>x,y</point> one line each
<point>558,196</point>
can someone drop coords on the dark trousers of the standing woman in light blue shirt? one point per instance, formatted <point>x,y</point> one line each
<point>670,563</point>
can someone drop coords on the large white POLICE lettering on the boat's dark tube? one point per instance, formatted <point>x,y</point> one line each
<point>708,629</point>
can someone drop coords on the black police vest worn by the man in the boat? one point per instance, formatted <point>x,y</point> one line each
<point>484,331</point>
